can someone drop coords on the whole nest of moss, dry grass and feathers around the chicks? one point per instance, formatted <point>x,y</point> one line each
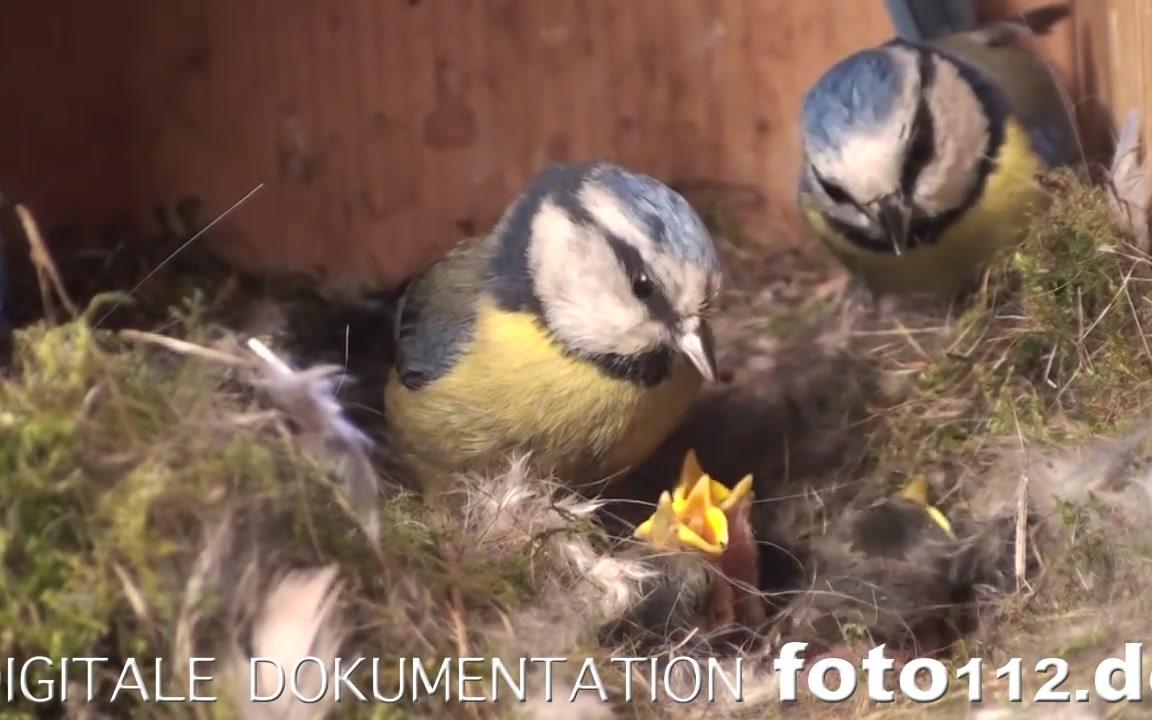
<point>169,502</point>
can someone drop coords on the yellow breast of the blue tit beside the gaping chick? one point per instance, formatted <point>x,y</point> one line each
<point>516,389</point>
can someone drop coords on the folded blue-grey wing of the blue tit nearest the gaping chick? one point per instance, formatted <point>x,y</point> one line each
<point>437,314</point>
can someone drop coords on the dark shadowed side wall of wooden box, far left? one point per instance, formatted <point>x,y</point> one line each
<point>66,132</point>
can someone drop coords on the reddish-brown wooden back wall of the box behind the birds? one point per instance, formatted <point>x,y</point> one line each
<point>388,130</point>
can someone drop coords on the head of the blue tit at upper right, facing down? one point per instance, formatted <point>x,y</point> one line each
<point>895,139</point>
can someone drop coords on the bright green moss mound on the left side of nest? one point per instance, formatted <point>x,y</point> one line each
<point>118,461</point>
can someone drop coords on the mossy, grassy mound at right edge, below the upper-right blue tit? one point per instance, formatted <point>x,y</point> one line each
<point>1055,335</point>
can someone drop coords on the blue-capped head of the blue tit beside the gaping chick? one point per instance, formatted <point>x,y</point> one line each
<point>619,266</point>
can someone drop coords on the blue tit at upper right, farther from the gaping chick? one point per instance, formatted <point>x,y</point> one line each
<point>922,156</point>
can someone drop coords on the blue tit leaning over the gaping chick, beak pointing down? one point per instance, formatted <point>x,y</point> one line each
<point>575,332</point>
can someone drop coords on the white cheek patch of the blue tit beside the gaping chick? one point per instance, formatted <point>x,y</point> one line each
<point>587,299</point>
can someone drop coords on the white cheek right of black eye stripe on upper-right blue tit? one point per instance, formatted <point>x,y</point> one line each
<point>961,130</point>
